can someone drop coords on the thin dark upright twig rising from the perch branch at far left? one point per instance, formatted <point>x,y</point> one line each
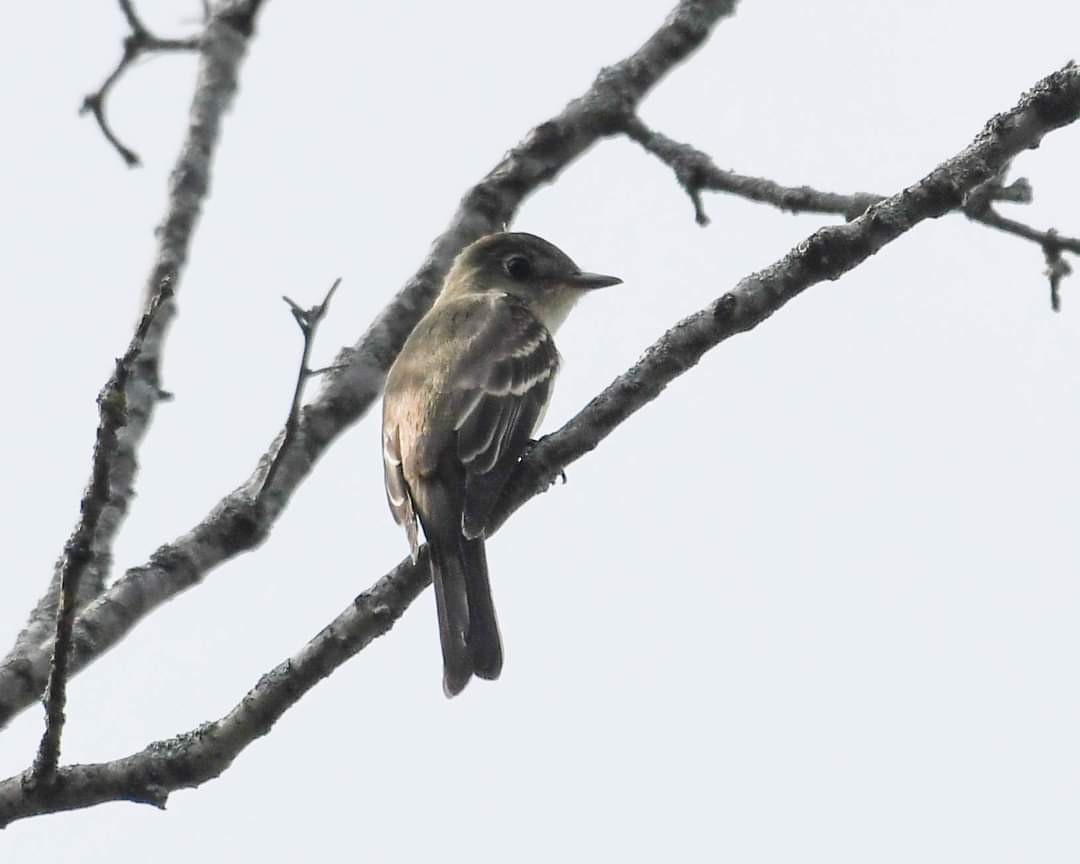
<point>78,552</point>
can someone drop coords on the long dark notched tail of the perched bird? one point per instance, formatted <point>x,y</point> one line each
<point>468,629</point>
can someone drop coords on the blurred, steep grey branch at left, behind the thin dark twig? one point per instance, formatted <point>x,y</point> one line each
<point>222,49</point>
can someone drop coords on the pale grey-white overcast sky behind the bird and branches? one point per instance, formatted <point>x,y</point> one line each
<point>817,603</point>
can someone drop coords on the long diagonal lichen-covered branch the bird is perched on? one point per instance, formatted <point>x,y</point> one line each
<point>202,754</point>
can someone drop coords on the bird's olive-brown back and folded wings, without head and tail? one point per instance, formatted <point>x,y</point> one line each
<point>489,388</point>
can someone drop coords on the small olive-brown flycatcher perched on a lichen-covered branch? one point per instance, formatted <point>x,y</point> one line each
<point>461,407</point>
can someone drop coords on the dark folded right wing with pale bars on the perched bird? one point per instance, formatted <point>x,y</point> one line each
<point>499,389</point>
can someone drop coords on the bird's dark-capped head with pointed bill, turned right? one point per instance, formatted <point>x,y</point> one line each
<point>528,267</point>
